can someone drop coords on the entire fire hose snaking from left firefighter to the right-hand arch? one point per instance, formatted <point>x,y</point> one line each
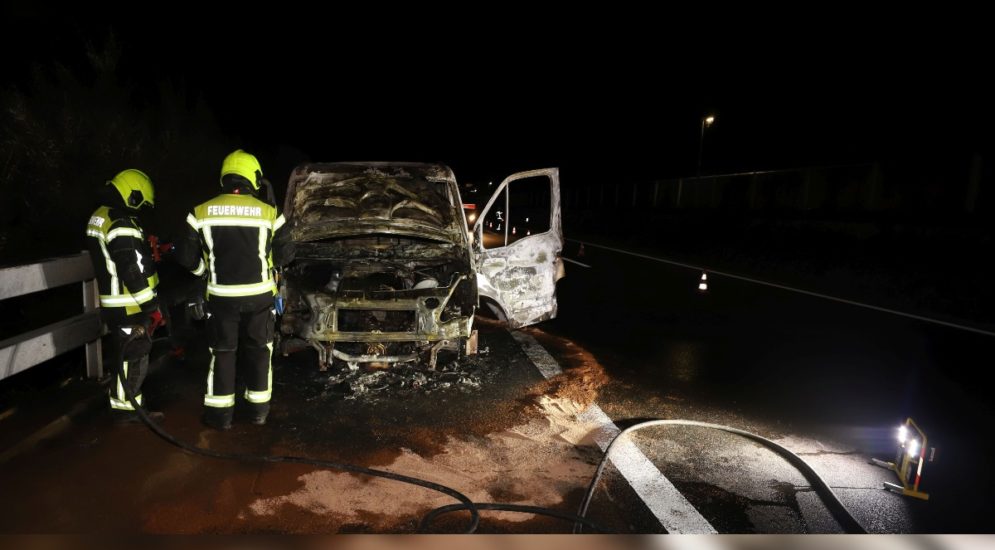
<point>836,507</point>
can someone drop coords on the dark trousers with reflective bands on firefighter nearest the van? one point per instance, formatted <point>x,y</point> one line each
<point>240,330</point>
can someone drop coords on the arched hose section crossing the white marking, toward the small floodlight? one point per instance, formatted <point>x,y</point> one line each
<point>839,511</point>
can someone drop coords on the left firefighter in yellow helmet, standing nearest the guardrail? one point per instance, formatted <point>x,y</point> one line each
<point>127,280</point>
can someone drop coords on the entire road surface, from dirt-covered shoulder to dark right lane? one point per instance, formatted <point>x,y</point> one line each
<point>635,339</point>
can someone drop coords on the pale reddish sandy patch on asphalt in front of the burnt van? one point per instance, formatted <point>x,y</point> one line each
<point>523,464</point>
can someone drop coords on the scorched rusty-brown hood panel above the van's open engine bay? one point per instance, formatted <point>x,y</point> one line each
<point>347,199</point>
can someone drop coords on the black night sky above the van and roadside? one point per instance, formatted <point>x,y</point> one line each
<point>611,94</point>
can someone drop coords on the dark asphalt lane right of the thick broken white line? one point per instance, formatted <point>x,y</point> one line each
<point>829,380</point>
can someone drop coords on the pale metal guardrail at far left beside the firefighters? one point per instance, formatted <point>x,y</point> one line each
<point>26,350</point>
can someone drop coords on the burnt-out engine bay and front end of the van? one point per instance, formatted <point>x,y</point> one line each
<point>379,298</point>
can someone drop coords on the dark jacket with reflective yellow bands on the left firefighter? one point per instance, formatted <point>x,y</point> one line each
<point>122,261</point>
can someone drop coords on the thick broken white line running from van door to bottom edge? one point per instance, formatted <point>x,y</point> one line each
<point>666,503</point>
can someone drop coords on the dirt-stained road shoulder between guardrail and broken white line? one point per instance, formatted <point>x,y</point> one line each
<point>489,426</point>
